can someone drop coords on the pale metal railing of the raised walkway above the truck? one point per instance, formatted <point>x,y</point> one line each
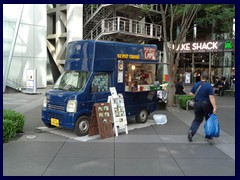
<point>124,25</point>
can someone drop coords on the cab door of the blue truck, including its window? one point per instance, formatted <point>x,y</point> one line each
<point>100,88</point>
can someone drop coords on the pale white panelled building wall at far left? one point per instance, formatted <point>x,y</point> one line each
<point>30,49</point>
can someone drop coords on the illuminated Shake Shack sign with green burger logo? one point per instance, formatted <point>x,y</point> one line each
<point>210,46</point>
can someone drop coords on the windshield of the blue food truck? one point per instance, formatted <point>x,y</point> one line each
<point>72,81</point>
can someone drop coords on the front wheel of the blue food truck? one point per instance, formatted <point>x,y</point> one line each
<point>81,126</point>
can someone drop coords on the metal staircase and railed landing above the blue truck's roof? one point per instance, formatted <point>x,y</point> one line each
<point>99,25</point>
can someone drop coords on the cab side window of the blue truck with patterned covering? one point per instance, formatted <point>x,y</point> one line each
<point>100,83</point>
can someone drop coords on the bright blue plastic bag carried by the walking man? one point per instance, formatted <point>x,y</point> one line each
<point>212,127</point>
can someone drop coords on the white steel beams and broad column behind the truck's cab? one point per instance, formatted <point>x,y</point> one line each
<point>64,24</point>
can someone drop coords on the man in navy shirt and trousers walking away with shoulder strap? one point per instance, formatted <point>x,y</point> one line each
<point>205,104</point>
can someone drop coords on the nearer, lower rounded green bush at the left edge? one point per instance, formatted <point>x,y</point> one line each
<point>9,130</point>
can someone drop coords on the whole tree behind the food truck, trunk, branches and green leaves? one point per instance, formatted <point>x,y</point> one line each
<point>219,16</point>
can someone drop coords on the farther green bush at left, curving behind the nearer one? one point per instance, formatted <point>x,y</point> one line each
<point>16,117</point>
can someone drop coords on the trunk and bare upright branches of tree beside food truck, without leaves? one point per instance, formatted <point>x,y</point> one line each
<point>173,14</point>
